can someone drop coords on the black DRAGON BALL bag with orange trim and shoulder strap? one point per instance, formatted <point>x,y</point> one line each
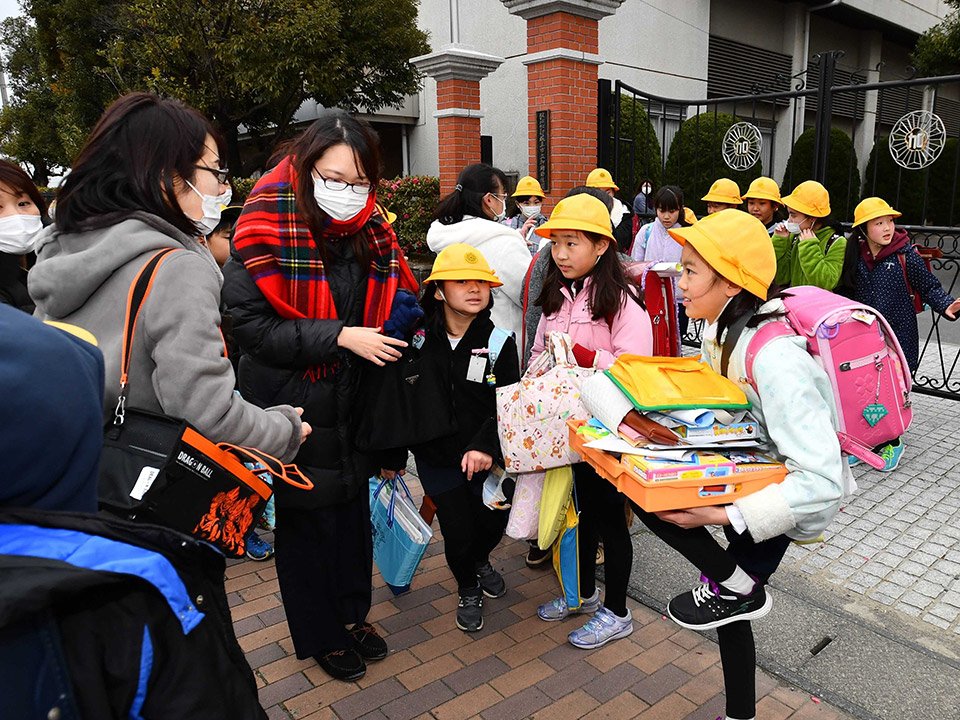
<point>159,469</point>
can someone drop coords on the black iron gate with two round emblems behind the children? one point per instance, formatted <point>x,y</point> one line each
<point>896,139</point>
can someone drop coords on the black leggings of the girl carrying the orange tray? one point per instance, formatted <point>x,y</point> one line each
<point>738,652</point>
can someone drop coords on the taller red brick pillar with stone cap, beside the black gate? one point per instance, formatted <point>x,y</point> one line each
<point>562,62</point>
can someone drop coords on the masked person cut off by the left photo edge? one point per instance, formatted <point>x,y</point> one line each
<point>21,219</point>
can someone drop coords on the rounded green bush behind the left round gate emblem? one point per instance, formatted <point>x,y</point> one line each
<point>696,158</point>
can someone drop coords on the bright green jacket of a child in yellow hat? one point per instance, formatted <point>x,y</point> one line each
<point>810,262</point>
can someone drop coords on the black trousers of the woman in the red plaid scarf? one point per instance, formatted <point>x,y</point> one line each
<point>325,569</point>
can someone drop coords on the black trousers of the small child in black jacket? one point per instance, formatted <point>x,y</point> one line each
<point>470,529</point>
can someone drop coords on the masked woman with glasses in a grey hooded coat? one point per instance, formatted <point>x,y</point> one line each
<point>148,178</point>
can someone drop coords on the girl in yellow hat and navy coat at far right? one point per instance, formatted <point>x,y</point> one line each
<point>883,269</point>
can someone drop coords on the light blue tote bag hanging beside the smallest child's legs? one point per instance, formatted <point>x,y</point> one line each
<point>400,536</point>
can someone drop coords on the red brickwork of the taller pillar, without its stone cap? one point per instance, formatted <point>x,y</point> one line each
<point>568,88</point>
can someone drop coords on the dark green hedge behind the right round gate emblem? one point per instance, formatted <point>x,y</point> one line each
<point>914,184</point>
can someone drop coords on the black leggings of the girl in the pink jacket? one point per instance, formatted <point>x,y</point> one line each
<point>603,516</point>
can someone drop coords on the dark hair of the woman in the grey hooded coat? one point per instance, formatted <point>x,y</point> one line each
<point>139,146</point>
